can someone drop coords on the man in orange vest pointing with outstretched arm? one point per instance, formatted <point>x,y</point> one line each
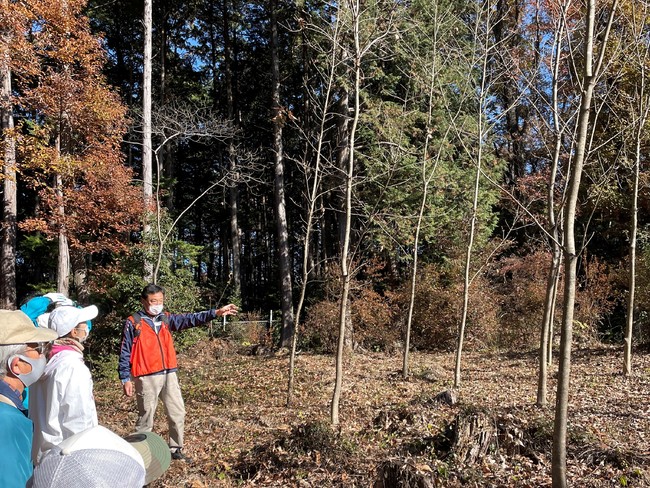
<point>147,365</point>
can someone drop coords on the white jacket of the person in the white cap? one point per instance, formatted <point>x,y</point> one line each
<point>61,402</point>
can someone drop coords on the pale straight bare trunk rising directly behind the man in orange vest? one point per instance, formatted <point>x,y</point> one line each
<point>147,148</point>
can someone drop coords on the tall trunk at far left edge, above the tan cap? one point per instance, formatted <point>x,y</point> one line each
<point>9,204</point>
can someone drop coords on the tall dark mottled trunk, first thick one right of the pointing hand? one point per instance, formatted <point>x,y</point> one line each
<point>286,292</point>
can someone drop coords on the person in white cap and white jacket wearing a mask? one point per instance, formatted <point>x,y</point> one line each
<point>66,386</point>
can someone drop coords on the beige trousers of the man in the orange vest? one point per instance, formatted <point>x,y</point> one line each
<point>164,386</point>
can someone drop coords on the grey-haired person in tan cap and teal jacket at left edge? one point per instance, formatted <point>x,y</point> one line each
<point>21,363</point>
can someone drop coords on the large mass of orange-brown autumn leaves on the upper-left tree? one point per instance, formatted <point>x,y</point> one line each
<point>71,129</point>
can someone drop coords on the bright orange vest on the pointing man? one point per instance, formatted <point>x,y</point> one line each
<point>151,352</point>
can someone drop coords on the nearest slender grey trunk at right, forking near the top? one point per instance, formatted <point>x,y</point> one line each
<point>589,76</point>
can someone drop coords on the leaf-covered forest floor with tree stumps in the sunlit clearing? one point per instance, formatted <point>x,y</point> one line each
<point>394,432</point>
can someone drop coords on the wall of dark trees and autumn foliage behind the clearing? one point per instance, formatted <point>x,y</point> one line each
<point>215,119</point>
